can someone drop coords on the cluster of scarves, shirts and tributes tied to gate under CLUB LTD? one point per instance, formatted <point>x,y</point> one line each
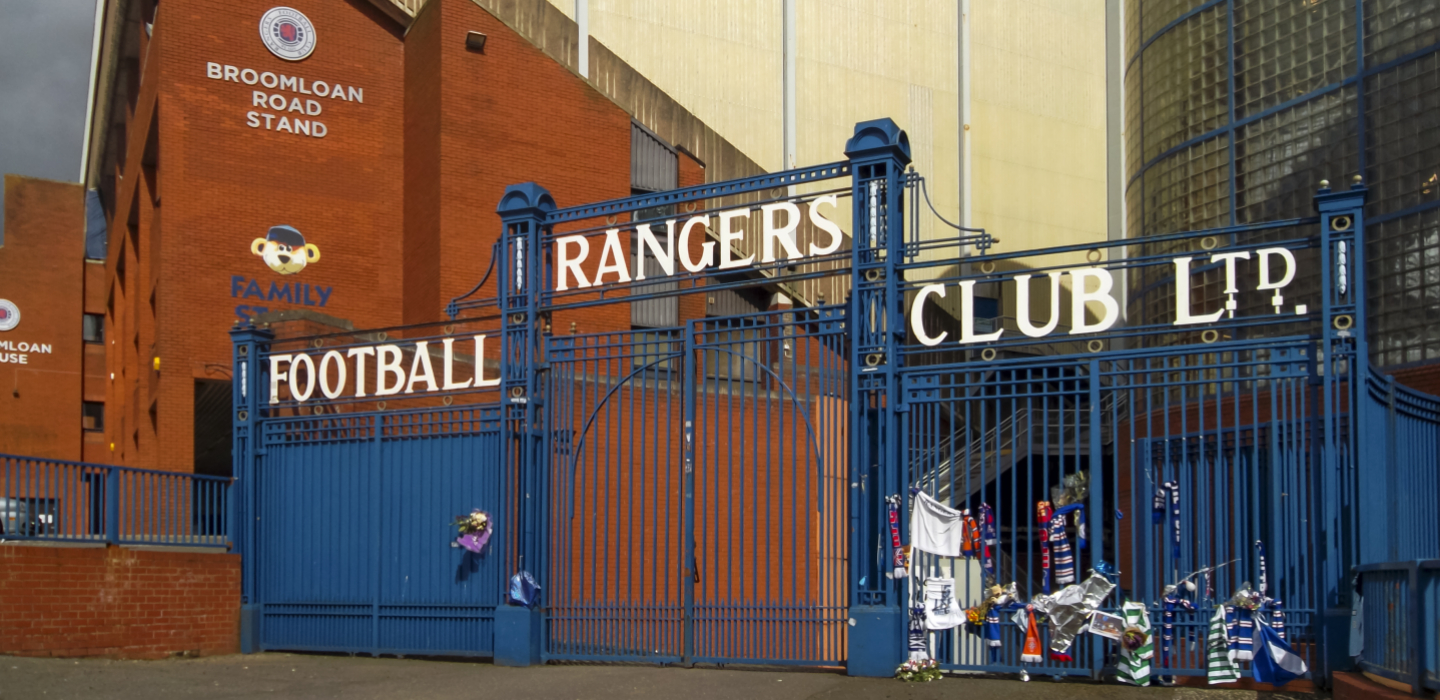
<point>1249,627</point>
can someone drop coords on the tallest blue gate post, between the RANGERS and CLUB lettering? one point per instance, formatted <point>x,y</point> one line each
<point>878,153</point>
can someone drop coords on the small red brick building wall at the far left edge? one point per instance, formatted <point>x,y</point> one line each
<point>42,273</point>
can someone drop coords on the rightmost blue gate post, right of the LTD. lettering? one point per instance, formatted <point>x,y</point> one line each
<point>1347,496</point>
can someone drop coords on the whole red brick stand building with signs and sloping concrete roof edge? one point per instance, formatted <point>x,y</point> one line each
<point>382,152</point>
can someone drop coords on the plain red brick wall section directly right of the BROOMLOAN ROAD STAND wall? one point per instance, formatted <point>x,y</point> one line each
<point>483,122</point>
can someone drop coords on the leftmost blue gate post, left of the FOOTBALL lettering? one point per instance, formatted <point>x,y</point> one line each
<point>250,382</point>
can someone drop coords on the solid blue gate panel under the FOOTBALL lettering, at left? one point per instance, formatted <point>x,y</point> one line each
<point>349,502</point>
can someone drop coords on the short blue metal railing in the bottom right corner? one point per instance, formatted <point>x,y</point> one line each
<point>1400,601</point>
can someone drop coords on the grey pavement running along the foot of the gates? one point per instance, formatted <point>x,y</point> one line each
<point>310,676</point>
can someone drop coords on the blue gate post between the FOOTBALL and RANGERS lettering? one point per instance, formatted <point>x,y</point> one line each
<point>522,211</point>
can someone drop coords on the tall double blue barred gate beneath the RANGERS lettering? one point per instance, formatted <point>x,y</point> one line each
<point>715,450</point>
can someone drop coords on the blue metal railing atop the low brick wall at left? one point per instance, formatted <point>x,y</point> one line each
<point>81,502</point>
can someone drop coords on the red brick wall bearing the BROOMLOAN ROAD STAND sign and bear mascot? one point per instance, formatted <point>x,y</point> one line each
<point>201,185</point>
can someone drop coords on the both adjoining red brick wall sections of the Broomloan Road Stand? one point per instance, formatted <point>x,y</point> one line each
<point>400,197</point>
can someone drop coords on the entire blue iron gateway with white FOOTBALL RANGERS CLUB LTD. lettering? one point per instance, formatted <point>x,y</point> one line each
<point>738,489</point>
